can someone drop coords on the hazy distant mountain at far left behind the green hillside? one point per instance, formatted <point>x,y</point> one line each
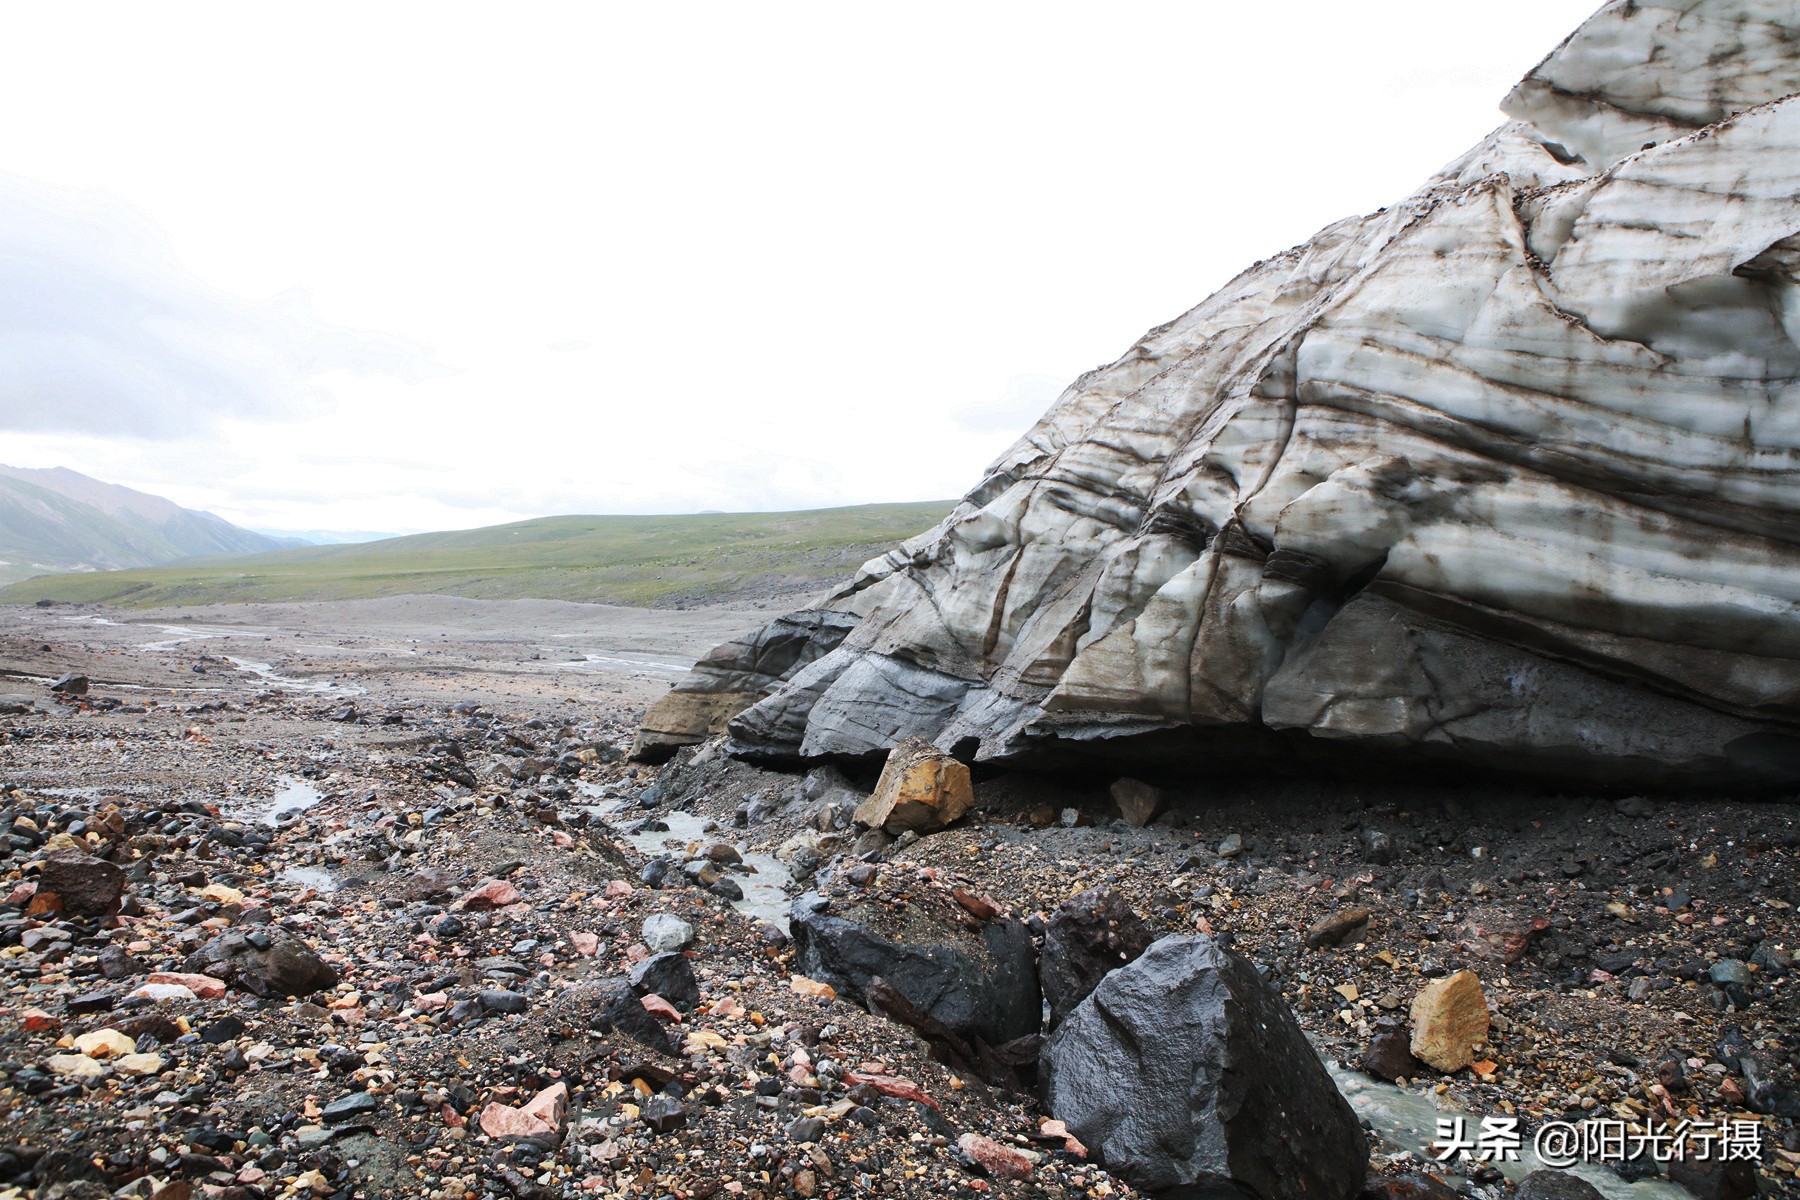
<point>60,521</point>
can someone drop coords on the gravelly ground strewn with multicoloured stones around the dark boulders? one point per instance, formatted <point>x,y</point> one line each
<point>399,816</point>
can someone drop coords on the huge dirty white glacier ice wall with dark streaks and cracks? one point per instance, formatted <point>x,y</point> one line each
<point>1500,476</point>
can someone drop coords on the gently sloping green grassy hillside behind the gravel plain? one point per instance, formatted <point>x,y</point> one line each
<point>613,560</point>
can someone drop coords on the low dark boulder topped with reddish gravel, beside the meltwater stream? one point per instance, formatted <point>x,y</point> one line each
<point>978,985</point>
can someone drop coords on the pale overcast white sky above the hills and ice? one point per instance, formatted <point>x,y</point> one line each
<point>402,267</point>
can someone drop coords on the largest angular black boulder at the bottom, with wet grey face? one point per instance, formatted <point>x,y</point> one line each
<point>1187,1077</point>
